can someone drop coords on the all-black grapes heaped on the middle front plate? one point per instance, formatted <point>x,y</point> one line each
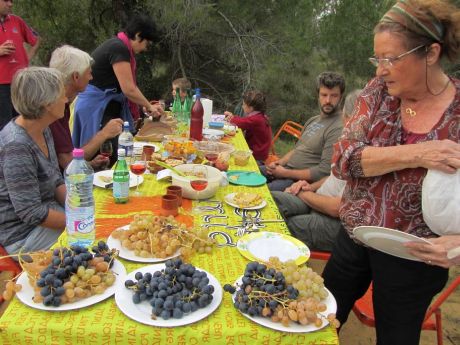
<point>176,290</point>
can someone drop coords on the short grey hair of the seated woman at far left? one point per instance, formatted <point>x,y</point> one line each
<point>34,88</point>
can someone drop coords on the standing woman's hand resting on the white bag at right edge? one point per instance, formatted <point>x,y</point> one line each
<point>443,155</point>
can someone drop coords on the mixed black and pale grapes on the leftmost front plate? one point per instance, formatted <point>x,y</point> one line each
<point>66,275</point>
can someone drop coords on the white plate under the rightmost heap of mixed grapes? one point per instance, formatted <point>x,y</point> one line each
<point>294,327</point>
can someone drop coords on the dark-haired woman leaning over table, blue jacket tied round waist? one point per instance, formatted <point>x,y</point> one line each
<point>113,93</point>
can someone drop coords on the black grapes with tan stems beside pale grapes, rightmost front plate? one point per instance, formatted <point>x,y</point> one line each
<point>263,291</point>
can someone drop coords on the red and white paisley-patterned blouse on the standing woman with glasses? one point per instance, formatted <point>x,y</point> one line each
<point>393,200</point>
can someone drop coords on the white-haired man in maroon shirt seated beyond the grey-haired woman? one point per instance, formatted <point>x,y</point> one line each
<point>75,65</point>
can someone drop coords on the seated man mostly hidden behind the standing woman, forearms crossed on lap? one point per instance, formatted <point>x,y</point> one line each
<point>311,211</point>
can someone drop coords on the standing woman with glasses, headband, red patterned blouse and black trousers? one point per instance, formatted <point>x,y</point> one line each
<point>406,121</point>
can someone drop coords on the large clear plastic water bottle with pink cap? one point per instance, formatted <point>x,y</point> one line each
<point>79,203</point>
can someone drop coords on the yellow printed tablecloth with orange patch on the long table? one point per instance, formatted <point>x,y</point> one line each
<point>104,323</point>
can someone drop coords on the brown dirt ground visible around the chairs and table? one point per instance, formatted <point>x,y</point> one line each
<point>356,333</point>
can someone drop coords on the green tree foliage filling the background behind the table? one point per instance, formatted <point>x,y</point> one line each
<point>227,47</point>
